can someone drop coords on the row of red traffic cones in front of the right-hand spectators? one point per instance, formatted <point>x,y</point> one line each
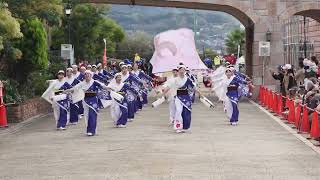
<point>299,116</point>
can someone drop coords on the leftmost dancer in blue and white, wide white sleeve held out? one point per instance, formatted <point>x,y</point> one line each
<point>60,102</point>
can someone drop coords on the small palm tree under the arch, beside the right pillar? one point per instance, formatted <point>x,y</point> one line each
<point>235,38</point>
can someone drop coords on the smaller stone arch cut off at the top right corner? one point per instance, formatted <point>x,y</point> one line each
<point>309,9</point>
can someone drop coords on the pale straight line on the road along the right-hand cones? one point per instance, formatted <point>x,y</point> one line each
<point>278,120</point>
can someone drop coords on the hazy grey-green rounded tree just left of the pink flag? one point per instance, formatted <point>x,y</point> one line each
<point>138,42</point>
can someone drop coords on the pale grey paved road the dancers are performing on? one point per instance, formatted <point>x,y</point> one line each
<point>258,149</point>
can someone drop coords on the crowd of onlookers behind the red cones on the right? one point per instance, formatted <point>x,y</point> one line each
<point>301,83</point>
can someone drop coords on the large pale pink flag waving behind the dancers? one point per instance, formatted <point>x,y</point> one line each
<point>173,47</point>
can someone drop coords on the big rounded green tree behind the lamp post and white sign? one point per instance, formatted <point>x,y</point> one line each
<point>88,27</point>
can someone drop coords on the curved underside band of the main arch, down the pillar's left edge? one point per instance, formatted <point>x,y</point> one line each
<point>241,10</point>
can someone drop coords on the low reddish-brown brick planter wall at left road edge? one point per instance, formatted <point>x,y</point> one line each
<point>31,108</point>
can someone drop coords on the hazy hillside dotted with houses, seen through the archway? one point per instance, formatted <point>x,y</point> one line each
<point>212,26</point>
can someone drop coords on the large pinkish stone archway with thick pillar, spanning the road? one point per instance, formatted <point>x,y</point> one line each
<point>257,16</point>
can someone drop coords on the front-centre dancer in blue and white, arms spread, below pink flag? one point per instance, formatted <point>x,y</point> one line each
<point>183,100</point>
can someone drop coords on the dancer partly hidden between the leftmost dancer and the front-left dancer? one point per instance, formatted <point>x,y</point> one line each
<point>71,79</point>
